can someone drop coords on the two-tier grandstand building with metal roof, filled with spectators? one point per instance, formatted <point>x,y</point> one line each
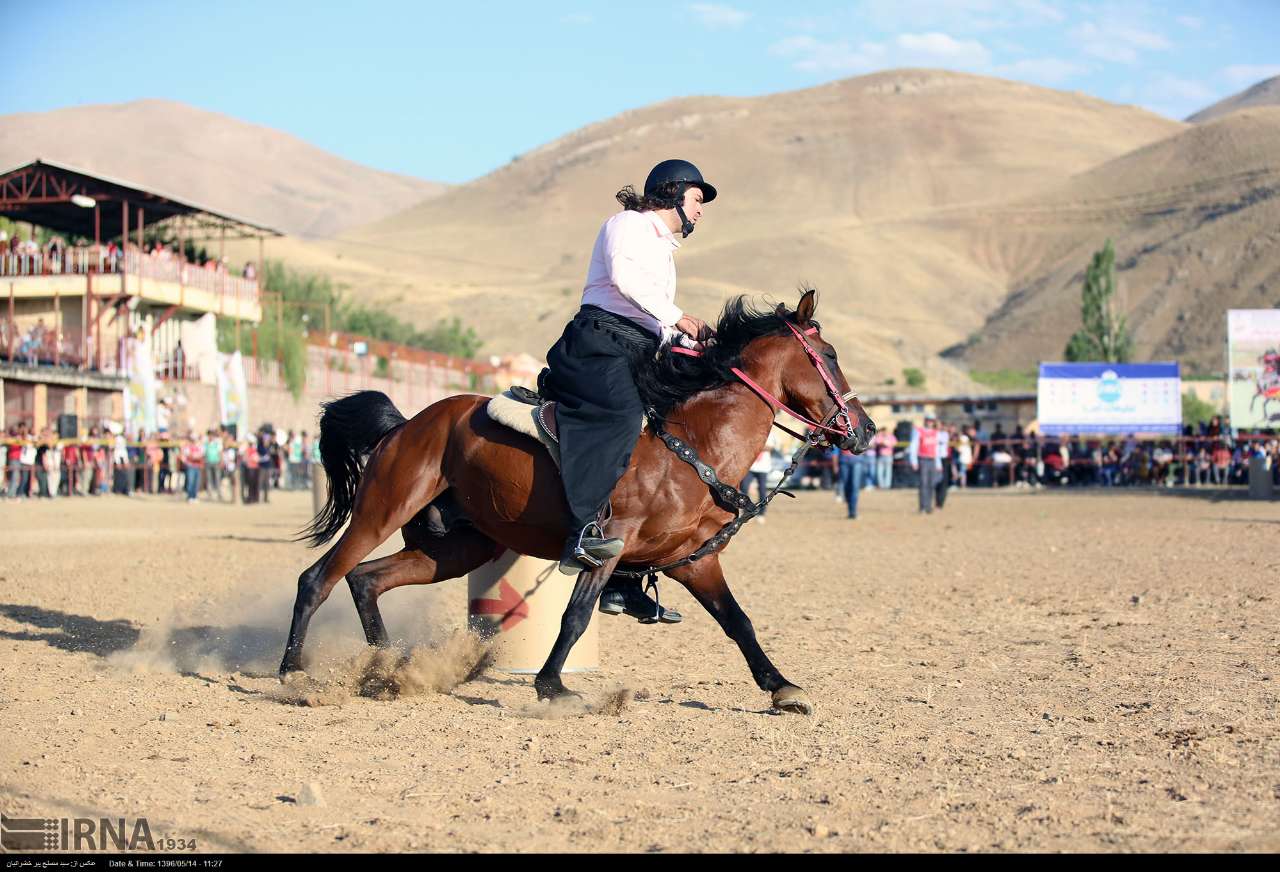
<point>108,272</point>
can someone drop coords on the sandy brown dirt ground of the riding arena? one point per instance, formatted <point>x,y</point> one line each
<point>1048,672</point>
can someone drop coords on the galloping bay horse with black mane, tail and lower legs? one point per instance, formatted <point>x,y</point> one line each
<point>454,456</point>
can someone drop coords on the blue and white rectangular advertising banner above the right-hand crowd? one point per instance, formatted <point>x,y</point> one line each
<point>1110,399</point>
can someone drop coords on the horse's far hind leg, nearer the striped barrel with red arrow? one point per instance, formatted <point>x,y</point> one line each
<point>433,560</point>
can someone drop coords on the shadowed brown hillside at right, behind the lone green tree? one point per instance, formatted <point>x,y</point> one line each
<point>1196,225</point>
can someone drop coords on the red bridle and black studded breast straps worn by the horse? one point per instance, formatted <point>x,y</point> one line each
<point>732,499</point>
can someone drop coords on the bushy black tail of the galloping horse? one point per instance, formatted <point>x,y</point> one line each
<point>350,430</point>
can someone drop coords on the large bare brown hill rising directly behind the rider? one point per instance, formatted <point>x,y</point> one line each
<point>834,185</point>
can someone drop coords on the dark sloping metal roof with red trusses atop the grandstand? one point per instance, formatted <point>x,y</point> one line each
<point>79,203</point>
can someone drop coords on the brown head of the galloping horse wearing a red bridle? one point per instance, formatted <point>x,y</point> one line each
<point>812,381</point>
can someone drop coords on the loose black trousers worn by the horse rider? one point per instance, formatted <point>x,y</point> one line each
<point>592,375</point>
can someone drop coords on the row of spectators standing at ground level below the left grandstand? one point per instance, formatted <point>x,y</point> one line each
<point>214,465</point>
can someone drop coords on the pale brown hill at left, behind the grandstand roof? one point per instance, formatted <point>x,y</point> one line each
<point>226,165</point>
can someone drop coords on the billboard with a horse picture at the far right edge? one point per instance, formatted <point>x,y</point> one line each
<point>1254,368</point>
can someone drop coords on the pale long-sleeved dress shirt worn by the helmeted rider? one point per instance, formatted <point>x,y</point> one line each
<point>633,272</point>
